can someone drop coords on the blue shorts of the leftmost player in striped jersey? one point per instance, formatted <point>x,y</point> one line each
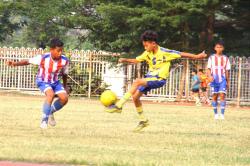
<point>57,87</point>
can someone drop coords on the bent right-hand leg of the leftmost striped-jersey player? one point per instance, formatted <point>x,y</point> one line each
<point>59,102</point>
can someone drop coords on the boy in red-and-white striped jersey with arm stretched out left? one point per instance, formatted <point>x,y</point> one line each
<point>50,64</point>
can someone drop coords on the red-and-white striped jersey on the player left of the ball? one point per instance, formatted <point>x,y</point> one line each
<point>50,69</point>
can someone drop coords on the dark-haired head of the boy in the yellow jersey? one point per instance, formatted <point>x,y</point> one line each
<point>149,39</point>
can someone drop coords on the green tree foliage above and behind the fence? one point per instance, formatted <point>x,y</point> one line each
<point>188,25</point>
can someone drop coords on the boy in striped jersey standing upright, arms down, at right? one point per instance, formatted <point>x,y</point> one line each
<point>218,72</point>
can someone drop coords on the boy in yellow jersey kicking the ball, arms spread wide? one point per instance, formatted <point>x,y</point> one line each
<point>158,59</point>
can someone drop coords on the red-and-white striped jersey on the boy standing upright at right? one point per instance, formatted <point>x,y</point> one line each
<point>218,65</point>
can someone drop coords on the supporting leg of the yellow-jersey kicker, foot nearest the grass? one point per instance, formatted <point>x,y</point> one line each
<point>138,105</point>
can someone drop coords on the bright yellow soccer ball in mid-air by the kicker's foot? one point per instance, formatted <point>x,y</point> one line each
<point>108,98</point>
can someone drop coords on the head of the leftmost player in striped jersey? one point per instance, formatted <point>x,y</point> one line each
<point>56,48</point>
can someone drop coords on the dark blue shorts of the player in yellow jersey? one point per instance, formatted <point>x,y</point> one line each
<point>152,83</point>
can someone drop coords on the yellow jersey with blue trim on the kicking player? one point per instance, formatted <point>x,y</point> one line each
<point>159,63</point>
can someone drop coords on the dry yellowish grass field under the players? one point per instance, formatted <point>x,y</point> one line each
<point>86,135</point>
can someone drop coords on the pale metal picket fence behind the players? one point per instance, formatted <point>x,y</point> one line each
<point>89,67</point>
